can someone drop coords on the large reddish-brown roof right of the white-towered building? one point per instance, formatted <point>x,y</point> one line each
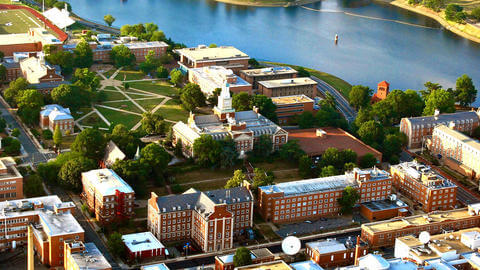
<point>315,141</point>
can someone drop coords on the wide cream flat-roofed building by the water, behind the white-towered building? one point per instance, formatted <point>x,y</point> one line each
<point>202,56</point>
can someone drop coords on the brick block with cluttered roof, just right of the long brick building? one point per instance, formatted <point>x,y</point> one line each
<point>427,188</point>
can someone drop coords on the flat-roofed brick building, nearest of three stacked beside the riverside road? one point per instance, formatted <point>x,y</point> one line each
<point>290,106</point>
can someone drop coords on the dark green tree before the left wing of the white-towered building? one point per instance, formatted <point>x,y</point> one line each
<point>207,150</point>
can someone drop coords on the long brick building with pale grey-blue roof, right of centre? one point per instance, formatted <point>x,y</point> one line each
<point>317,197</point>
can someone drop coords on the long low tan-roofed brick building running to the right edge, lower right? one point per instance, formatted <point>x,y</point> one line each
<point>384,233</point>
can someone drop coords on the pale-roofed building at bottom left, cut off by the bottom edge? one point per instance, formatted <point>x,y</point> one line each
<point>79,255</point>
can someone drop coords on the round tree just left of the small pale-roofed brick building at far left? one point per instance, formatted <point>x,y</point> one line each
<point>29,103</point>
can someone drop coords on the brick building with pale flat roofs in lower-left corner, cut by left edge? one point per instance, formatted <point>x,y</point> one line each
<point>51,224</point>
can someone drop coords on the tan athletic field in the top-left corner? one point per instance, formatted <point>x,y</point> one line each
<point>17,21</point>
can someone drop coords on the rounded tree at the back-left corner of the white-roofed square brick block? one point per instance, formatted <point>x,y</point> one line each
<point>71,172</point>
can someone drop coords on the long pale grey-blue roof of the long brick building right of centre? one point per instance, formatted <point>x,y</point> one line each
<point>337,182</point>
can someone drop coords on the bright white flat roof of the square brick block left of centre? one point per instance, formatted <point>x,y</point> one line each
<point>106,181</point>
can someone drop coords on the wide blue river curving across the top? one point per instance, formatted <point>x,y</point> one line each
<point>369,50</point>
